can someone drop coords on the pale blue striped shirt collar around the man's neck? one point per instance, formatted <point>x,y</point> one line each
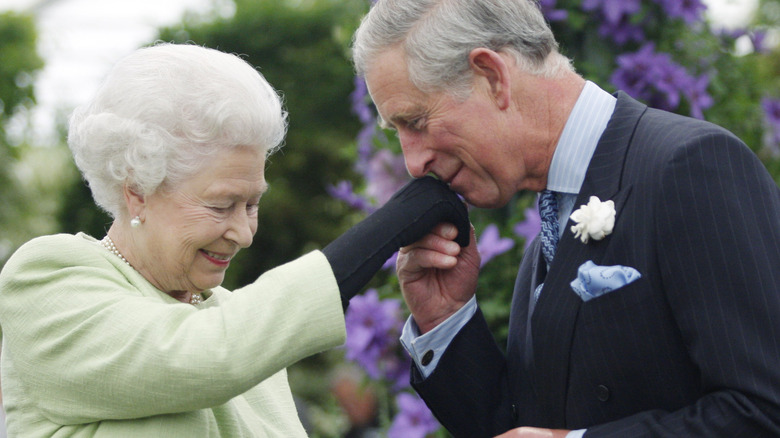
<point>580,136</point>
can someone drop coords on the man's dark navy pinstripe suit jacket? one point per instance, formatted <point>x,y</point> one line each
<point>690,349</point>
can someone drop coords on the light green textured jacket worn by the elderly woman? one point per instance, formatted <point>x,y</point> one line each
<point>91,349</point>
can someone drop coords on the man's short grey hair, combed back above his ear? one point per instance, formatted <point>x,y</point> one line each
<point>438,35</point>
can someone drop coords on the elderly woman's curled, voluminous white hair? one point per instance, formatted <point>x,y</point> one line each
<point>163,112</point>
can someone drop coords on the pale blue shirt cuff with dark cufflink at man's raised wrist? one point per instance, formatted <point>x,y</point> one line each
<point>427,349</point>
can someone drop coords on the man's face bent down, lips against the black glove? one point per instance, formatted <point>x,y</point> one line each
<point>468,144</point>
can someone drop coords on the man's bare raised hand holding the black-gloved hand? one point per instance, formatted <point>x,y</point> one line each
<point>437,275</point>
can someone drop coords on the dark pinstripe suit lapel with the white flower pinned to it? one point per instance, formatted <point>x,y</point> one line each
<point>555,315</point>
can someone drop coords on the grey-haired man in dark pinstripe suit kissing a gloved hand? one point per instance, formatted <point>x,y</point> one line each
<point>659,317</point>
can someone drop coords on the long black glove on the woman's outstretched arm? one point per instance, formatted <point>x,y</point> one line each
<point>410,214</point>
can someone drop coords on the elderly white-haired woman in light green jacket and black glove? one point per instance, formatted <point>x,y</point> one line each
<point>131,335</point>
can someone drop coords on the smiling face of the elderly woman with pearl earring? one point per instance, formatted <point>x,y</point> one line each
<point>192,231</point>
